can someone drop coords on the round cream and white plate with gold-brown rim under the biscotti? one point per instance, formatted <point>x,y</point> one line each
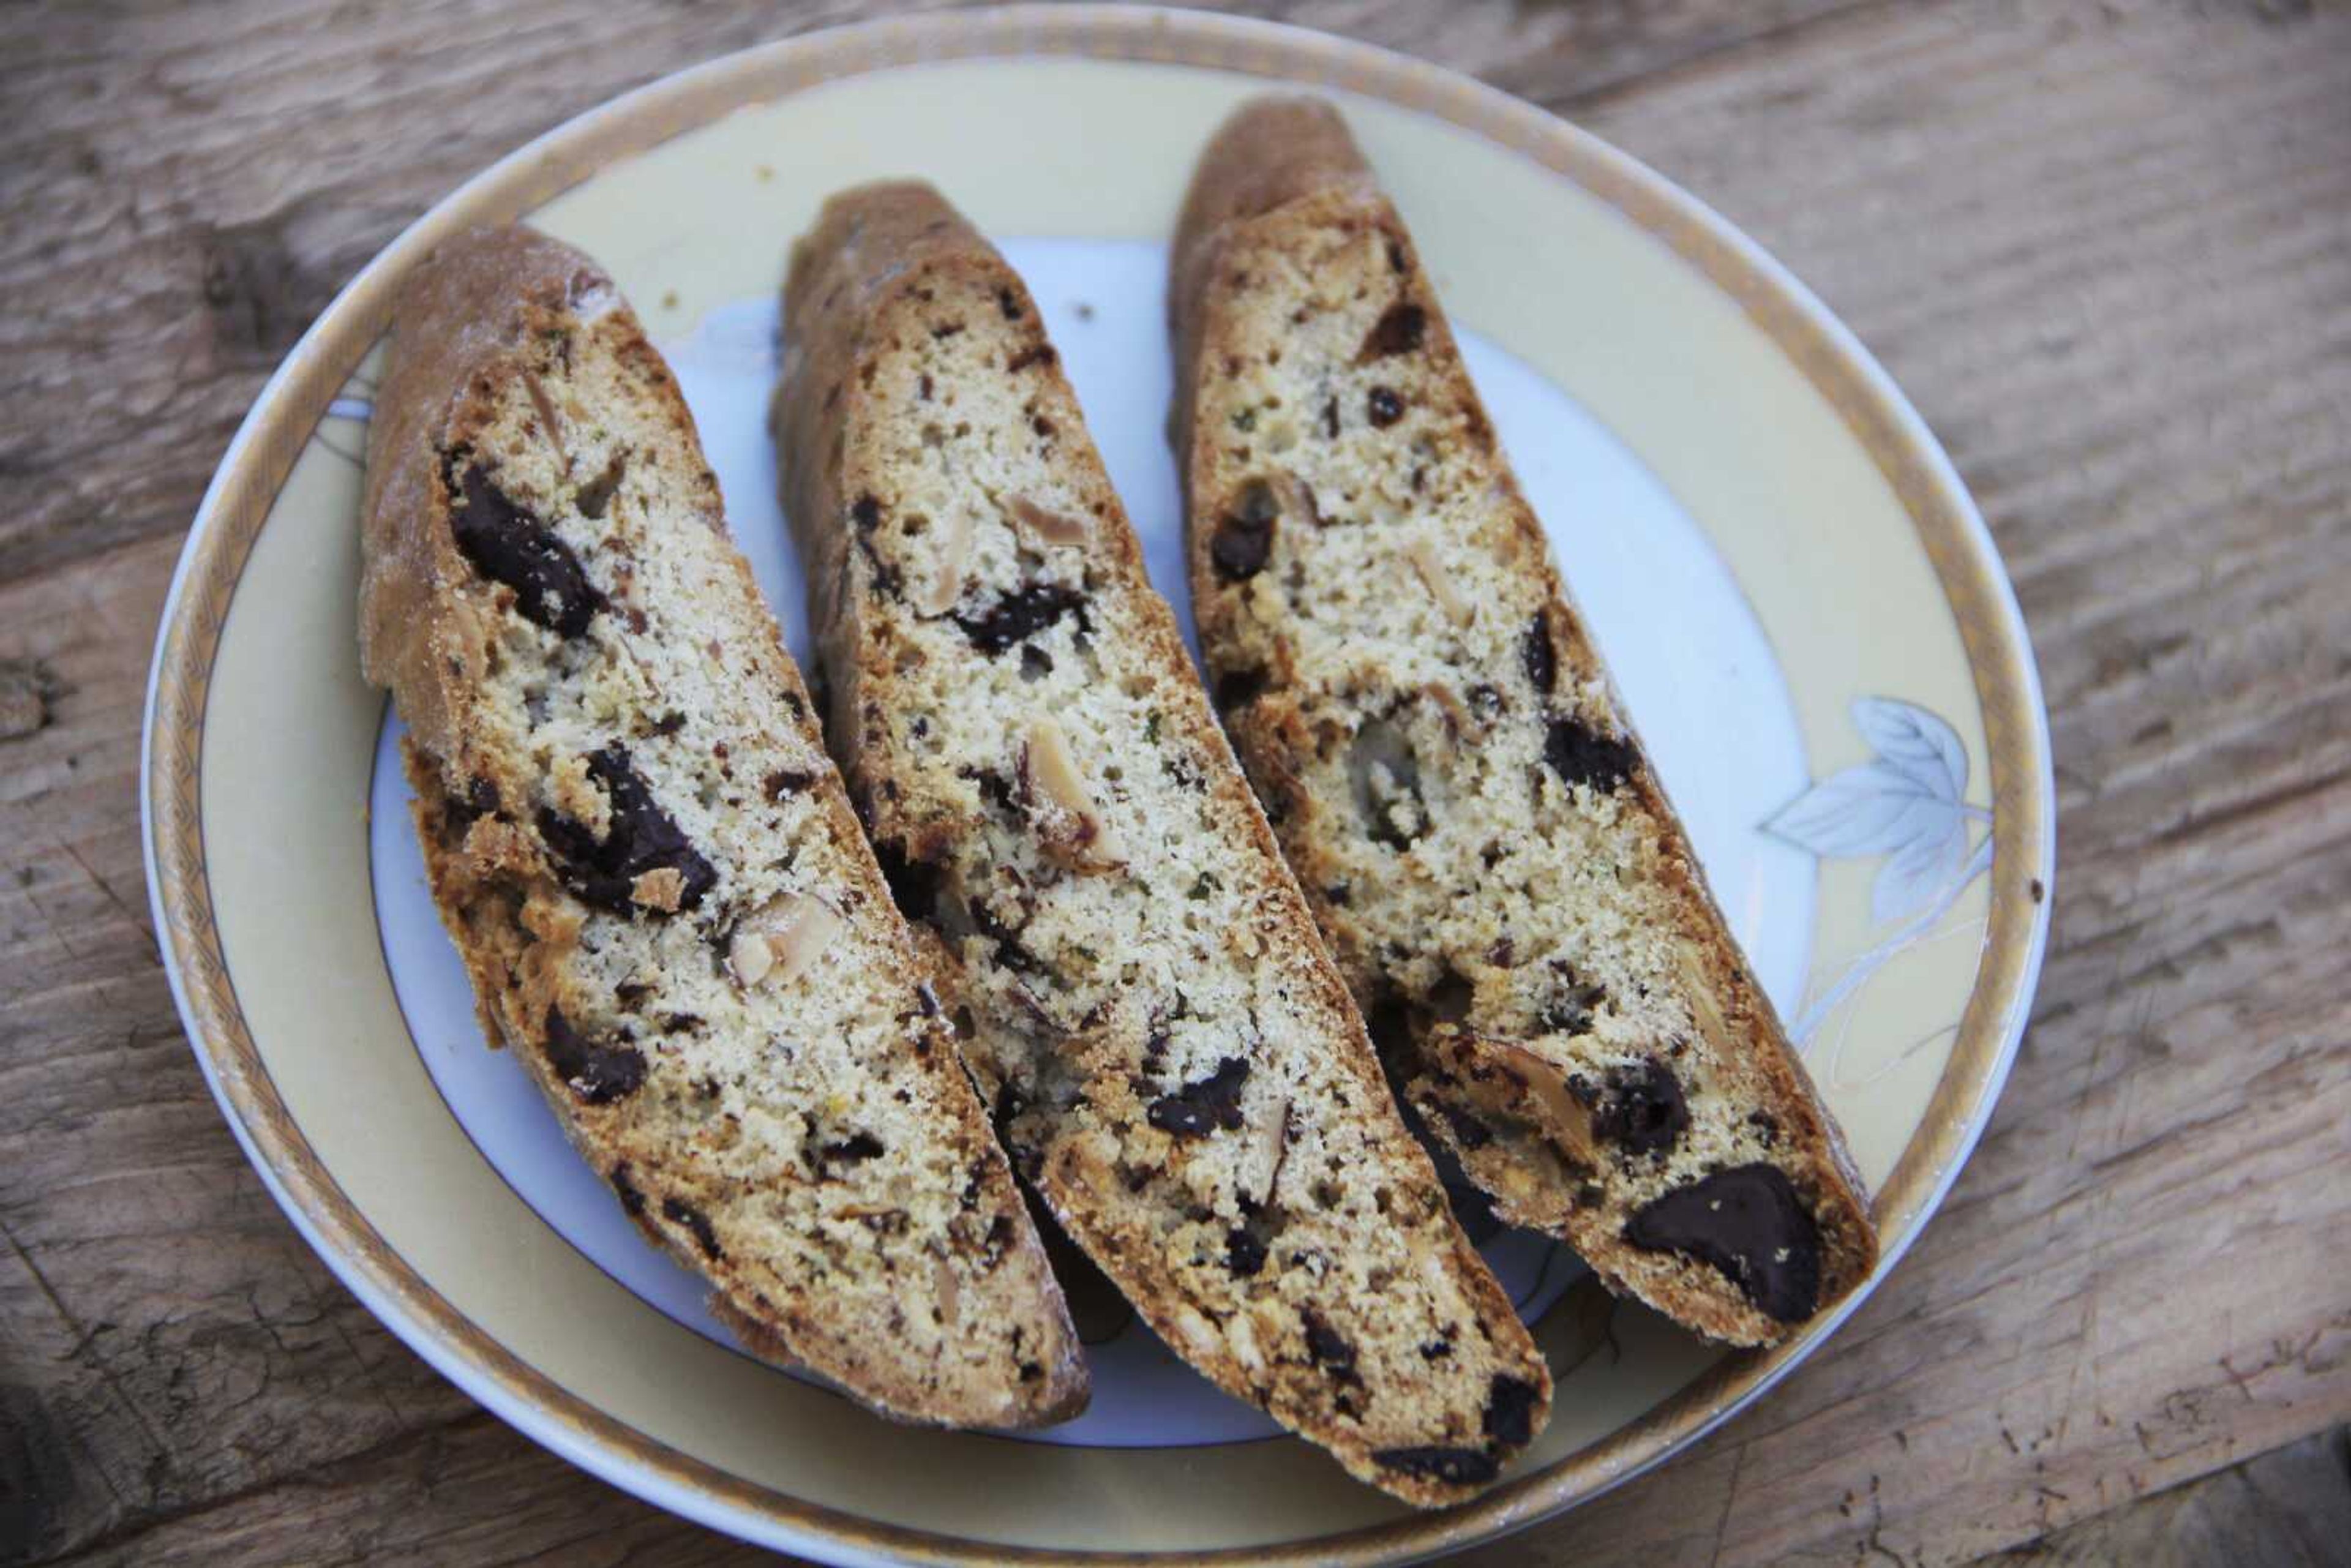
<point>1804,612</point>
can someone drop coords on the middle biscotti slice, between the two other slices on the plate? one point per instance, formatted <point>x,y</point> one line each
<point>1174,1061</point>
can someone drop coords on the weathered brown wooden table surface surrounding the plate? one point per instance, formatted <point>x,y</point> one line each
<point>2103,246</point>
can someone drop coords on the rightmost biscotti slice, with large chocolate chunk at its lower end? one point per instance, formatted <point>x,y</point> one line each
<point>1435,739</point>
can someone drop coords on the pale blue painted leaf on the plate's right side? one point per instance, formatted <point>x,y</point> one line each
<point>1903,805</point>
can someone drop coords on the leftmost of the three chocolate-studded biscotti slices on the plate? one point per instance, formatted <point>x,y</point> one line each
<point>650,866</point>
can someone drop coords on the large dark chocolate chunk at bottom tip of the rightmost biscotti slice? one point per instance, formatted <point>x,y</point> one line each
<point>1748,1224</point>
